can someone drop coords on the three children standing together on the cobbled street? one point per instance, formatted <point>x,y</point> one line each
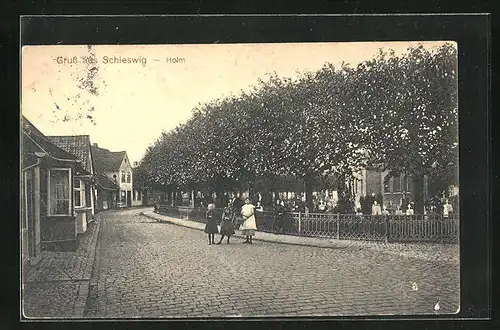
<point>230,216</point>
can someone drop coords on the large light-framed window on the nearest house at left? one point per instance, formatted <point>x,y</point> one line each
<point>59,194</point>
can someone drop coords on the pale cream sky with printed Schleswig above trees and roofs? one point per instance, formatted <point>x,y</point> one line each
<point>131,103</point>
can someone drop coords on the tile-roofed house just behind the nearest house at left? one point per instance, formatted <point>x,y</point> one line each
<point>84,185</point>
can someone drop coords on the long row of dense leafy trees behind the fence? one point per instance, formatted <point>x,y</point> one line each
<point>398,113</point>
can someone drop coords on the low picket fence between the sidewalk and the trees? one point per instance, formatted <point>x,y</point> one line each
<point>387,228</point>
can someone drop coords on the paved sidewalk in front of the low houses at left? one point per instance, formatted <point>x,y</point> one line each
<point>58,286</point>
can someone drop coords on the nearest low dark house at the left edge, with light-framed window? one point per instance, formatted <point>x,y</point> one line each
<point>48,213</point>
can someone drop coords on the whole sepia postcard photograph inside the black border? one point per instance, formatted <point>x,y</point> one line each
<point>252,180</point>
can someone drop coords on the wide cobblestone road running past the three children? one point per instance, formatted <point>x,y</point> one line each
<point>148,269</point>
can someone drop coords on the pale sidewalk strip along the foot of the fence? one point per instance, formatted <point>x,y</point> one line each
<point>425,251</point>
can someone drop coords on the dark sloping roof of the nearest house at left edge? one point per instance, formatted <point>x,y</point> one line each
<point>35,141</point>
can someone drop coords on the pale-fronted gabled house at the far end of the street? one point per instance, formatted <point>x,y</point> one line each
<point>114,178</point>
